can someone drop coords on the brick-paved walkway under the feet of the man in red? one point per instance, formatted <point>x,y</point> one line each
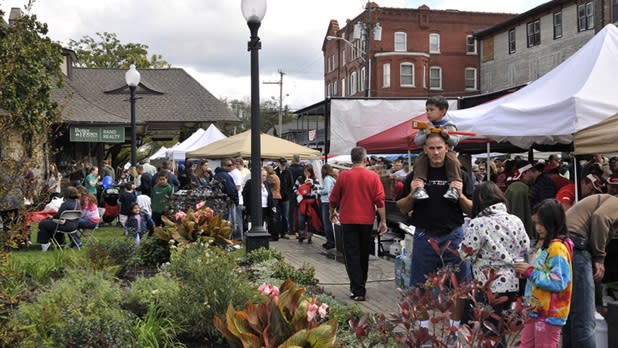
<point>382,294</point>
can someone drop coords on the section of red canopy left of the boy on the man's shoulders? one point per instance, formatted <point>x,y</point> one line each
<point>397,139</point>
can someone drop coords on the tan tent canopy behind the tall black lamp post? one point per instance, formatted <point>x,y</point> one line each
<point>240,145</point>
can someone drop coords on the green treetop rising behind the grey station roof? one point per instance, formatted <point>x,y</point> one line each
<point>110,53</point>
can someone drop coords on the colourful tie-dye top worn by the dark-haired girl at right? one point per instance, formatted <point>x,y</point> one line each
<point>548,289</point>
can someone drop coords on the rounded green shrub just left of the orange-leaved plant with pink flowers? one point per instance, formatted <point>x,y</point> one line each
<point>209,280</point>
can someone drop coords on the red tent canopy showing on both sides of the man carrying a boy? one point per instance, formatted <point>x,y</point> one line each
<point>400,138</point>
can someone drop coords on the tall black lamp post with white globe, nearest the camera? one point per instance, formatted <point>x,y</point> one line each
<point>257,237</point>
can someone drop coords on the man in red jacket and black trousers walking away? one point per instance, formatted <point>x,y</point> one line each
<point>357,194</point>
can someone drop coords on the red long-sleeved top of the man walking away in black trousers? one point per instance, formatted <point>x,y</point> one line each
<point>357,193</point>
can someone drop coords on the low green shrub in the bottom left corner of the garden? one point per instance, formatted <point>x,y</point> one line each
<point>81,310</point>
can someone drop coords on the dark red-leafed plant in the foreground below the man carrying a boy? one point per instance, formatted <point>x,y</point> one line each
<point>436,304</point>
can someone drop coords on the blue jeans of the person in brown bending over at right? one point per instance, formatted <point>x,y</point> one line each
<point>579,328</point>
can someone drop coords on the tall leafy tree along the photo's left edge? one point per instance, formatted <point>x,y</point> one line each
<point>29,67</point>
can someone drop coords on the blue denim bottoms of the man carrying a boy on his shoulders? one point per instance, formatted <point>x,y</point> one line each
<point>425,260</point>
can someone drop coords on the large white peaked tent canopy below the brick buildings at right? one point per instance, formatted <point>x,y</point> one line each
<point>574,95</point>
